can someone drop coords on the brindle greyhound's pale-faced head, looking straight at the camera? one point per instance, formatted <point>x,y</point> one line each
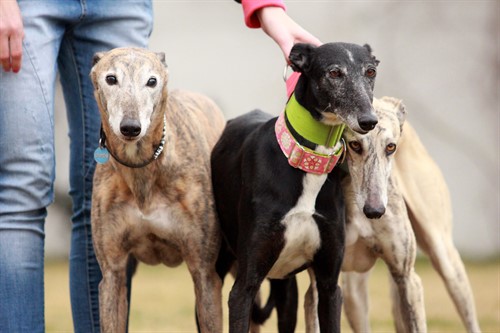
<point>130,88</point>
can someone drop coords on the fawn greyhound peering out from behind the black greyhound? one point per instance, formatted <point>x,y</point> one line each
<point>414,199</point>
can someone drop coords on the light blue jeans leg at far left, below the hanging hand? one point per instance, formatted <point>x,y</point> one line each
<point>27,168</point>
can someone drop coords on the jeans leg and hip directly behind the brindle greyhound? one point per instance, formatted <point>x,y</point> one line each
<point>104,25</point>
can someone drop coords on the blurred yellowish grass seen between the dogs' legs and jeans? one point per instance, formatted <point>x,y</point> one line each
<point>163,299</point>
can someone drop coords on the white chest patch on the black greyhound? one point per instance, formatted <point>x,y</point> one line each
<point>302,238</point>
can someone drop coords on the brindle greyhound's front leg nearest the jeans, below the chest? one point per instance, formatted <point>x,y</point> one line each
<point>113,300</point>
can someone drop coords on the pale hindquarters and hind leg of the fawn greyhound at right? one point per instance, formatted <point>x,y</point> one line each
<point>429,207</point>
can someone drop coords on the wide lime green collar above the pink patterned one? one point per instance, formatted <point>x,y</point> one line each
<point>309,128</point>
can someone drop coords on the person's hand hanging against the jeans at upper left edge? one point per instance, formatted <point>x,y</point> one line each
<point>11,35</point>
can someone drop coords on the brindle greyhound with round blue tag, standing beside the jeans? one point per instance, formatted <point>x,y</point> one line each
<point>153,199</point>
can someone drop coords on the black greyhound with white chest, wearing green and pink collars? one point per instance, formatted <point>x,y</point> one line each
<point>280,205</point>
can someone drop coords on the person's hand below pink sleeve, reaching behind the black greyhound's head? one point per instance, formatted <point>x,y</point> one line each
<point>283,30</point>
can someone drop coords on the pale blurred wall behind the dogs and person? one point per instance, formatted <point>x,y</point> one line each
<point>440,57</point>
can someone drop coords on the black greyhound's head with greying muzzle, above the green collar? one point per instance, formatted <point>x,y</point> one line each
<point>337,82</point>
